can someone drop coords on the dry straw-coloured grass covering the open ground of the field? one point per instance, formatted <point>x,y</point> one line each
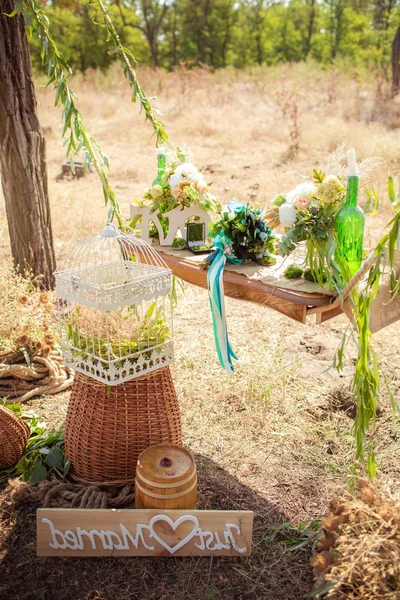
<point>271,428</point>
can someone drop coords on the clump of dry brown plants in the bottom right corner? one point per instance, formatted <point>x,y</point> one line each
<point>360,546</point>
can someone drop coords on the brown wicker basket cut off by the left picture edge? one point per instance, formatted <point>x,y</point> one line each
<point>14,433</point>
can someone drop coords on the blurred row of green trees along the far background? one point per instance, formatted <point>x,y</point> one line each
<point>219,33</point>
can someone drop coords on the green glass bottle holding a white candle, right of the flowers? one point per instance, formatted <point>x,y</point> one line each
<point>350,228</point>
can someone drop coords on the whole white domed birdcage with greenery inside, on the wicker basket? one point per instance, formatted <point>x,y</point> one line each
<point>114,308</point>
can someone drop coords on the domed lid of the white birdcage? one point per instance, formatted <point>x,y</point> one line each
<point>112,269</point>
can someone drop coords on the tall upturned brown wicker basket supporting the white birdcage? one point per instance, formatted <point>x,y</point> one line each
<point>108,427</point>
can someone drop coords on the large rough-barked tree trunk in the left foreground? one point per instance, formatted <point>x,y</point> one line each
<point>23,155</point>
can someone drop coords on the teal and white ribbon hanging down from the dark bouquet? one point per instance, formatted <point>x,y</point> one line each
<point>215,283</point>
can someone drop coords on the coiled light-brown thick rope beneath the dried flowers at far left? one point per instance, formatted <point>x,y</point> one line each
<point>44,376</point>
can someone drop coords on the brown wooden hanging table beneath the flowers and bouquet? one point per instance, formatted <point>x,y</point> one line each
<point>293,304</point>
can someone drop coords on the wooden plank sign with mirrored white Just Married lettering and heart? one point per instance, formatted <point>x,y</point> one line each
<point>112,532</point>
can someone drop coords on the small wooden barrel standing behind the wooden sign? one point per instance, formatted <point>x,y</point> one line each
<point>166,478</point>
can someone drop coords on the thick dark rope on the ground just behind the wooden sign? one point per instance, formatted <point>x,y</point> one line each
<point>64,494</point>
